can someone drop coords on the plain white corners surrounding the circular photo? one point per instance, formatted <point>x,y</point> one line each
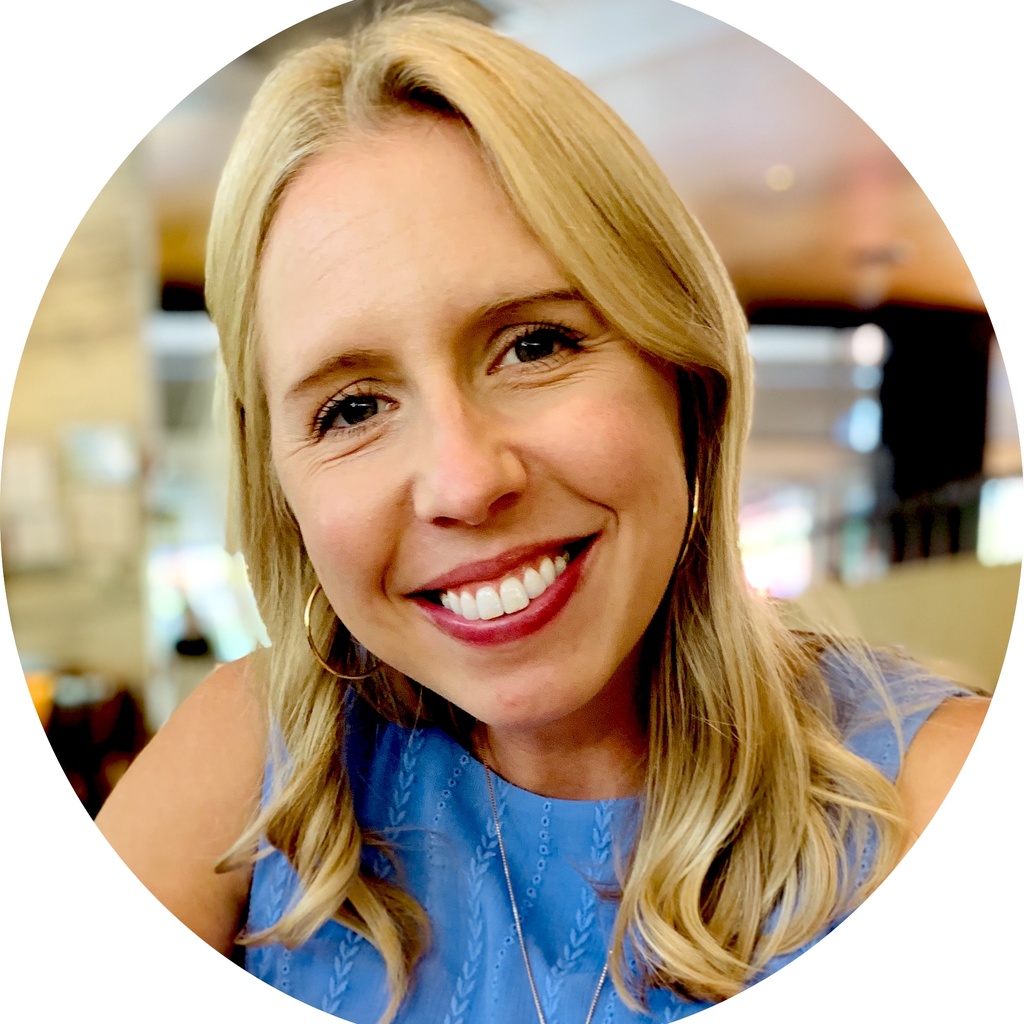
<point>82,83</point>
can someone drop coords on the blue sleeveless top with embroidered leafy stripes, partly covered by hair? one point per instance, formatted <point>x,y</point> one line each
<point>430,798</point>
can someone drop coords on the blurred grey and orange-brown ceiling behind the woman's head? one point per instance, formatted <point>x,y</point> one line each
<point>803,200</point>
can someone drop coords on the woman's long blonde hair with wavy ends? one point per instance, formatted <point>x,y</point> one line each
<point>753,808</point>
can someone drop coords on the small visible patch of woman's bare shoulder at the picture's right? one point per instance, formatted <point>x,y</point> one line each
<point>935,757</point>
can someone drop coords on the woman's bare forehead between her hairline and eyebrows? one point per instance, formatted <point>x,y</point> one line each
<point>405,223</point>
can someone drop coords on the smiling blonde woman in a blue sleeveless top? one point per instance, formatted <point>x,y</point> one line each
<point>536,752</point>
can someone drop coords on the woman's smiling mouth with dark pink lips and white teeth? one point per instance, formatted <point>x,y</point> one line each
<point>507,599</point>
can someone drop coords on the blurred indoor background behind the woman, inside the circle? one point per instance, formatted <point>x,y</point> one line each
<point>883,490</point>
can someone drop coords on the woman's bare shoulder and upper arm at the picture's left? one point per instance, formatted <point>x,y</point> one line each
<point>188,797</point>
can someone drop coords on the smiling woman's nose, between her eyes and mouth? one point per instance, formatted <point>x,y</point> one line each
<point>468,468</point>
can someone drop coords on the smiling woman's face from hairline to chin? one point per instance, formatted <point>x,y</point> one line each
<point>488,480</point>
